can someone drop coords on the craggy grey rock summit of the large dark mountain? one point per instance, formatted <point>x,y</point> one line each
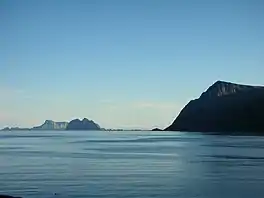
<point>223,88</point>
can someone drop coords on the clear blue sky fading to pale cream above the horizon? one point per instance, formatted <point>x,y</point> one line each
<point>123,64</point>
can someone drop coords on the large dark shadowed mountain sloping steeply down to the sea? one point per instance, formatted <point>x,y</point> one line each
<point>224,107</point>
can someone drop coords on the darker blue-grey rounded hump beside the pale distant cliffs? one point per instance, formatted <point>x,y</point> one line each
<point>84,124</point>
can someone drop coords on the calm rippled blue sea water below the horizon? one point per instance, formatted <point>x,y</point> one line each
<point>130,164</point>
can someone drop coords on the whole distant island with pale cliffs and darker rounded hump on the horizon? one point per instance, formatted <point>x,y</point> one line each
<point>75,124</point>
